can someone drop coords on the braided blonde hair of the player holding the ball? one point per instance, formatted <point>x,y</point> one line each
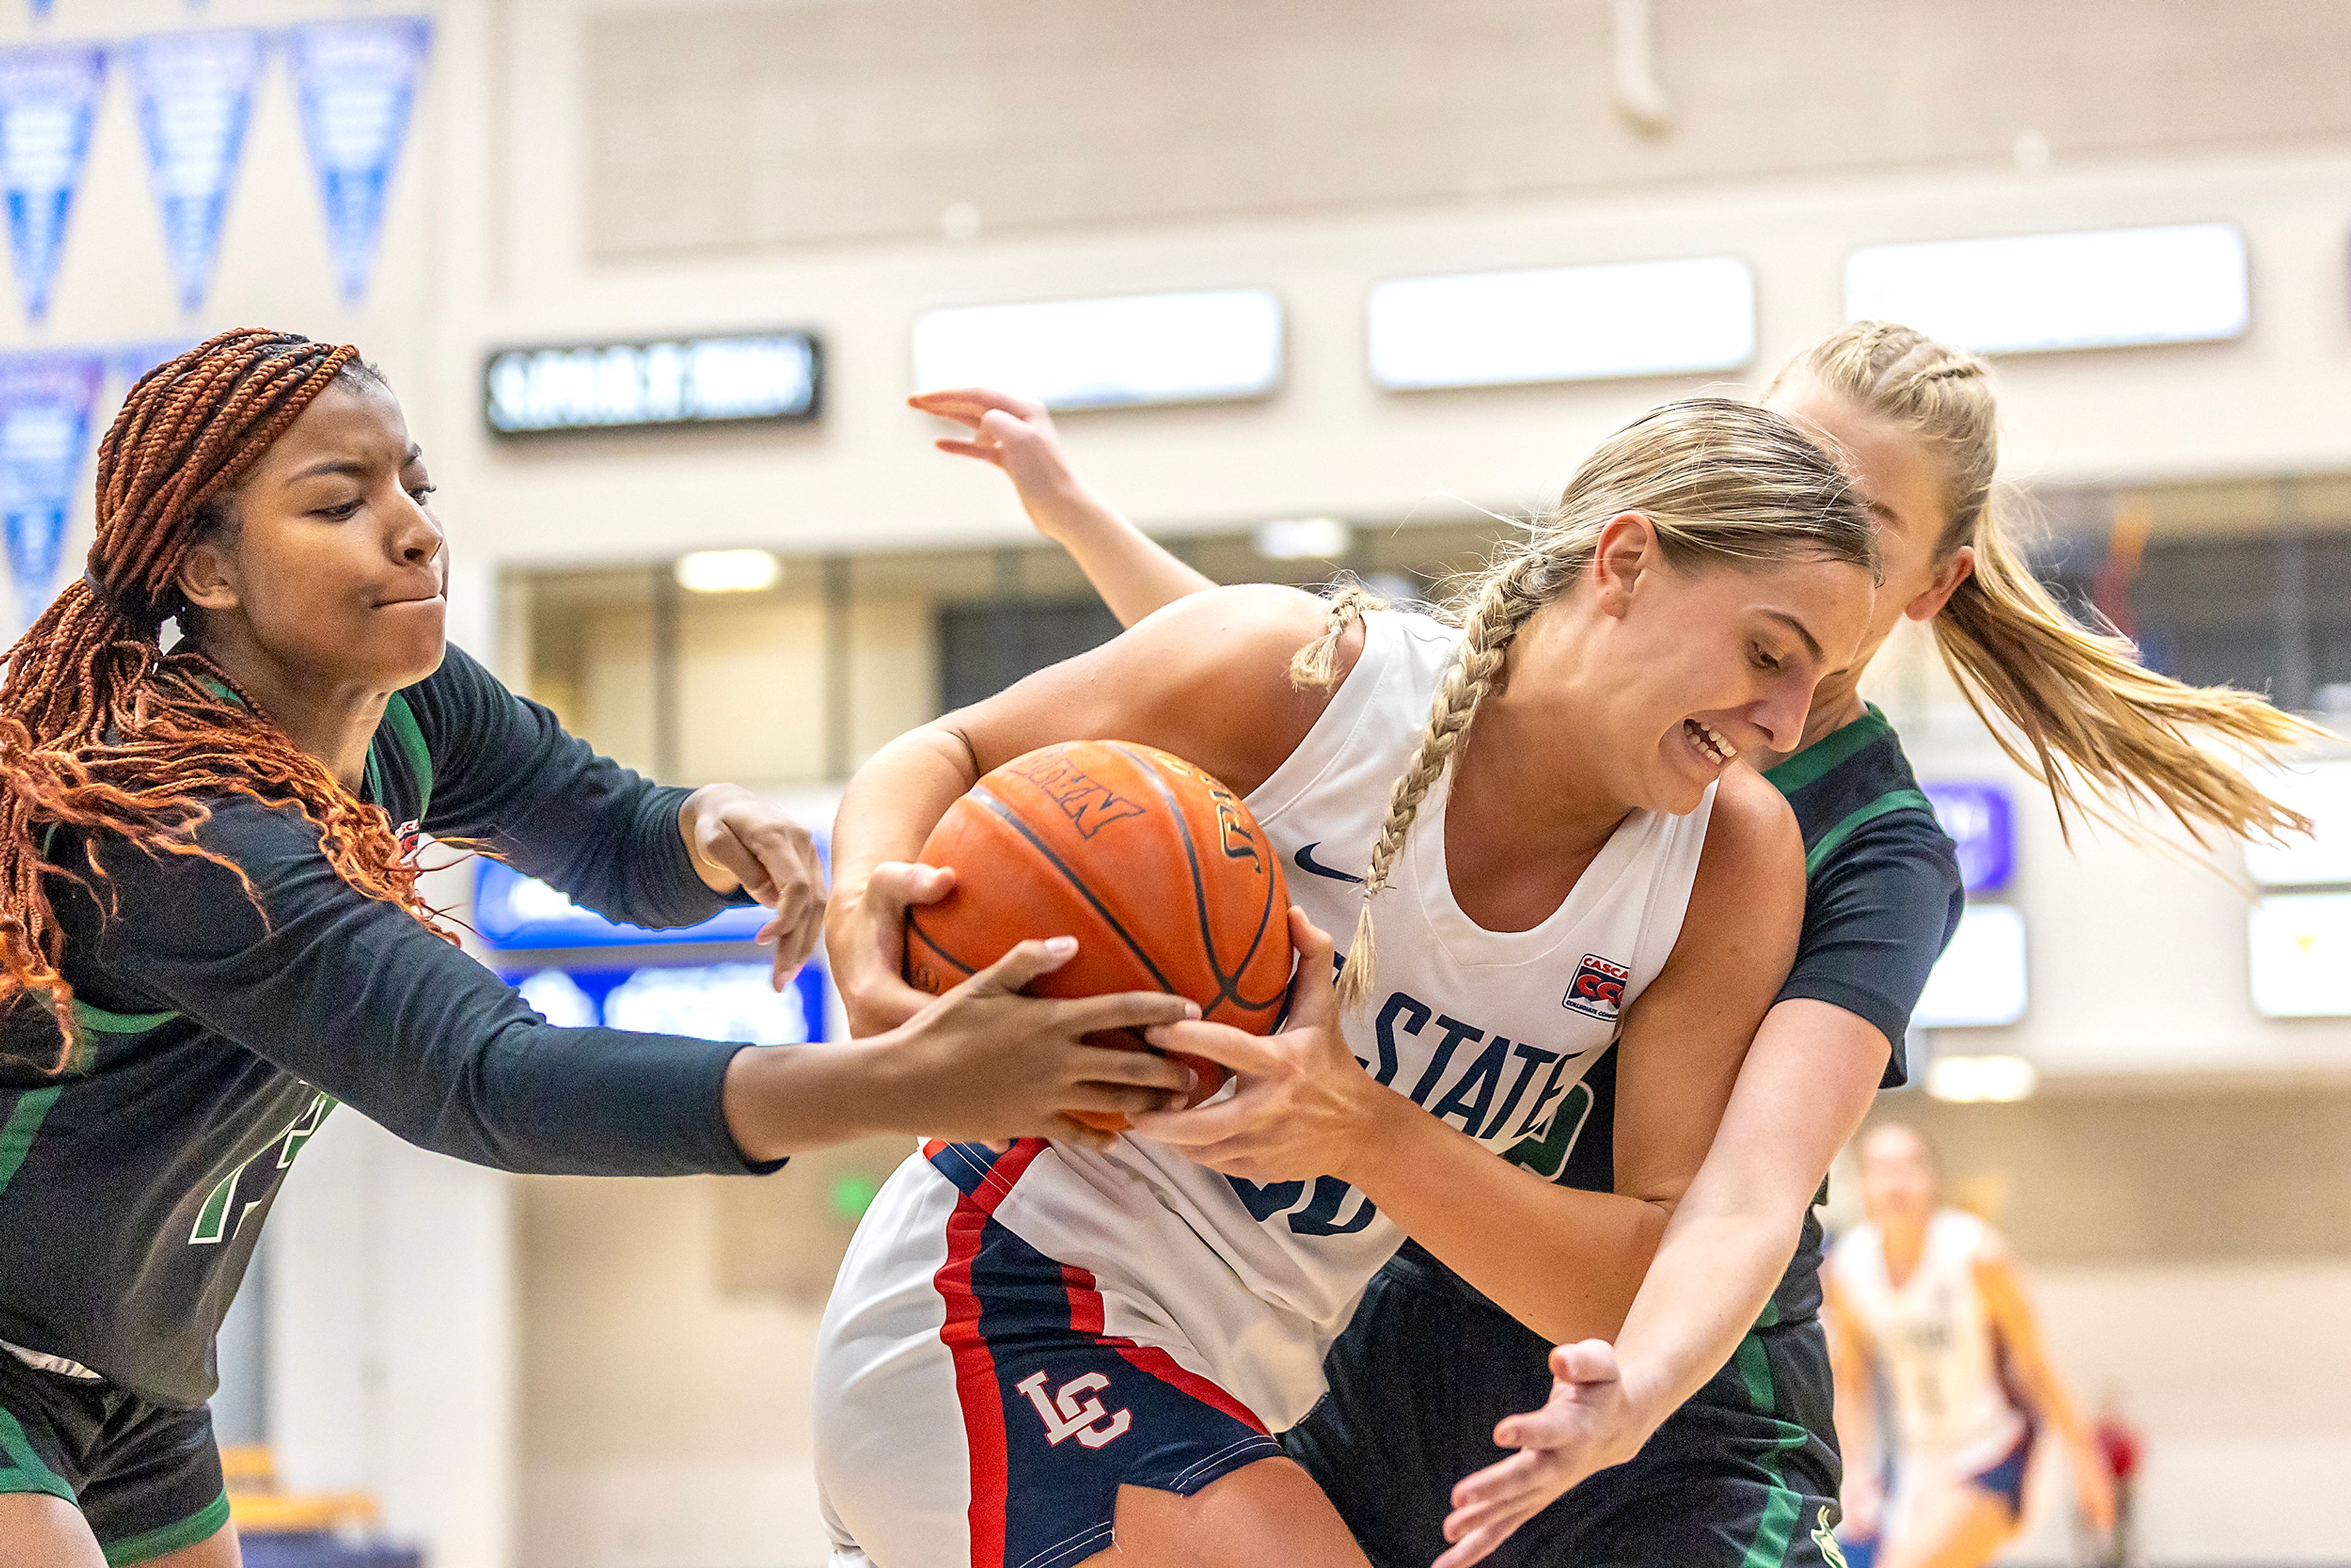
<point>1722,483</point>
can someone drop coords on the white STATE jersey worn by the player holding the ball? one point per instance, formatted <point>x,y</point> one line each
<point>1487,1031</point>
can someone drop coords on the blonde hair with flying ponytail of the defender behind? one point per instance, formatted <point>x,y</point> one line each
<point>2091,723</point>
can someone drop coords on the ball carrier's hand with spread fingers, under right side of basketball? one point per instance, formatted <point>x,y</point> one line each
<point>1301,1108</point>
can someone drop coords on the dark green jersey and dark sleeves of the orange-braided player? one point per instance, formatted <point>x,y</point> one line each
<point>220,1031</point>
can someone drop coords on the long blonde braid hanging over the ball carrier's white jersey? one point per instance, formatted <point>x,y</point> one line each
<point>1501,610</point>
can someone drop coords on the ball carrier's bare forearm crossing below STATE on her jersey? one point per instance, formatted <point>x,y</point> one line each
<point>1562,1261</point>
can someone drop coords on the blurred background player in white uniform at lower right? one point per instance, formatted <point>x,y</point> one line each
<point>1927,1308</point>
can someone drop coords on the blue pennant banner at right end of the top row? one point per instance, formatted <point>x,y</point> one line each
<point>356,83</point>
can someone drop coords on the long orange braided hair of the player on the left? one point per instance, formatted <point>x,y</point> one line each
<point>100,728</point>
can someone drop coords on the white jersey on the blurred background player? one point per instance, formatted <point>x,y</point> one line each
<point>1934,1341</point>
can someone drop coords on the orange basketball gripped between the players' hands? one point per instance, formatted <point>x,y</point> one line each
<point>1156,869</point>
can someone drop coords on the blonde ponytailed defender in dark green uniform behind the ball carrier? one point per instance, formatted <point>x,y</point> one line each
<point>1701,1435</point>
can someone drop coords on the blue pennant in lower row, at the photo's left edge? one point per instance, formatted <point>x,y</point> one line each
<point>46,403</point>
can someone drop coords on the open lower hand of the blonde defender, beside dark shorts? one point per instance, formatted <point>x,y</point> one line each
<point>1586,1426</point>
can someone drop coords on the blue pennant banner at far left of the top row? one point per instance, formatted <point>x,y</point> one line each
<point>48,100</point>
